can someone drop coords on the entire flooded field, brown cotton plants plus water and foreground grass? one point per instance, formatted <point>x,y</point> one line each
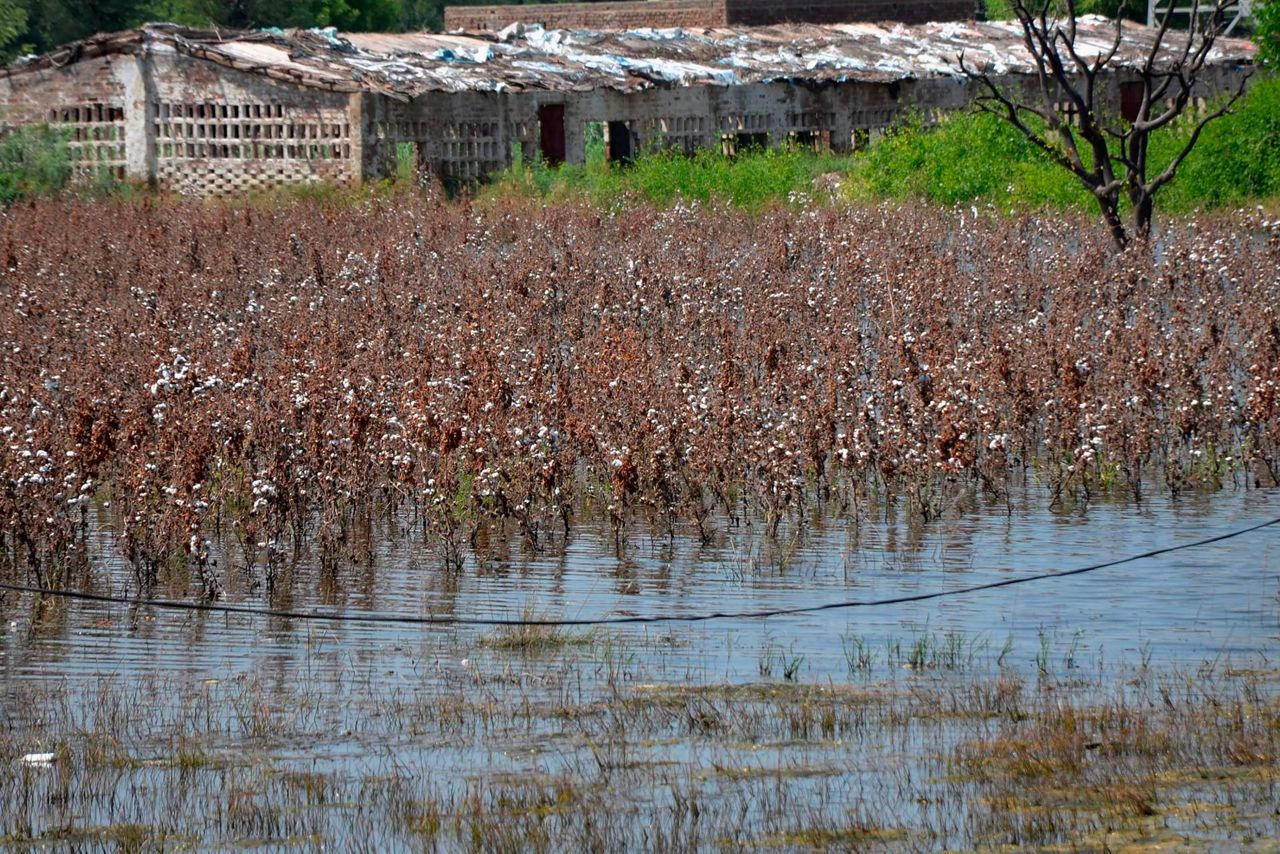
<point>483,414</point>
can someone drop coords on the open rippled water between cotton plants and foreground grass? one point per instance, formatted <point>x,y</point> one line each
<point>1178,609</point>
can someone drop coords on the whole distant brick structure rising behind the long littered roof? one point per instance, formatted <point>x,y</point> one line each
<point>702,13</point>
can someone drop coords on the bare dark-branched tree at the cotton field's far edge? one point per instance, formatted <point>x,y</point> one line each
<point>1066,118</point>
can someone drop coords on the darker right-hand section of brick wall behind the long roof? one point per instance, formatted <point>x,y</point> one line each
<point>761,13</point>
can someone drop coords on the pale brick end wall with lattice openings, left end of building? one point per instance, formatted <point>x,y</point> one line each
<point>199,129</point>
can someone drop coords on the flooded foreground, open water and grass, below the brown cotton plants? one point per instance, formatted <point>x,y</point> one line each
<point>1140,698</point>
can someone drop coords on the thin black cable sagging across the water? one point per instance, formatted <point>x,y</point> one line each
<point>330,616</point>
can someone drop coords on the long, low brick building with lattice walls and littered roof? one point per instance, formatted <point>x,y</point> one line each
<point>217,113</point>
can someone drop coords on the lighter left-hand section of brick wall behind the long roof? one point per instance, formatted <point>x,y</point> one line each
<point>591,16</point>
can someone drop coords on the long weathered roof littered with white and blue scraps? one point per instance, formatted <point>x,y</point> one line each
<point>532,58</point>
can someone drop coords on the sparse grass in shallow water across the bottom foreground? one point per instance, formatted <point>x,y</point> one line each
<point>557,759</point>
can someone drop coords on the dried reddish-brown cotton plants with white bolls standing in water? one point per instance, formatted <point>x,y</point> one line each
<point>278,372</point>
